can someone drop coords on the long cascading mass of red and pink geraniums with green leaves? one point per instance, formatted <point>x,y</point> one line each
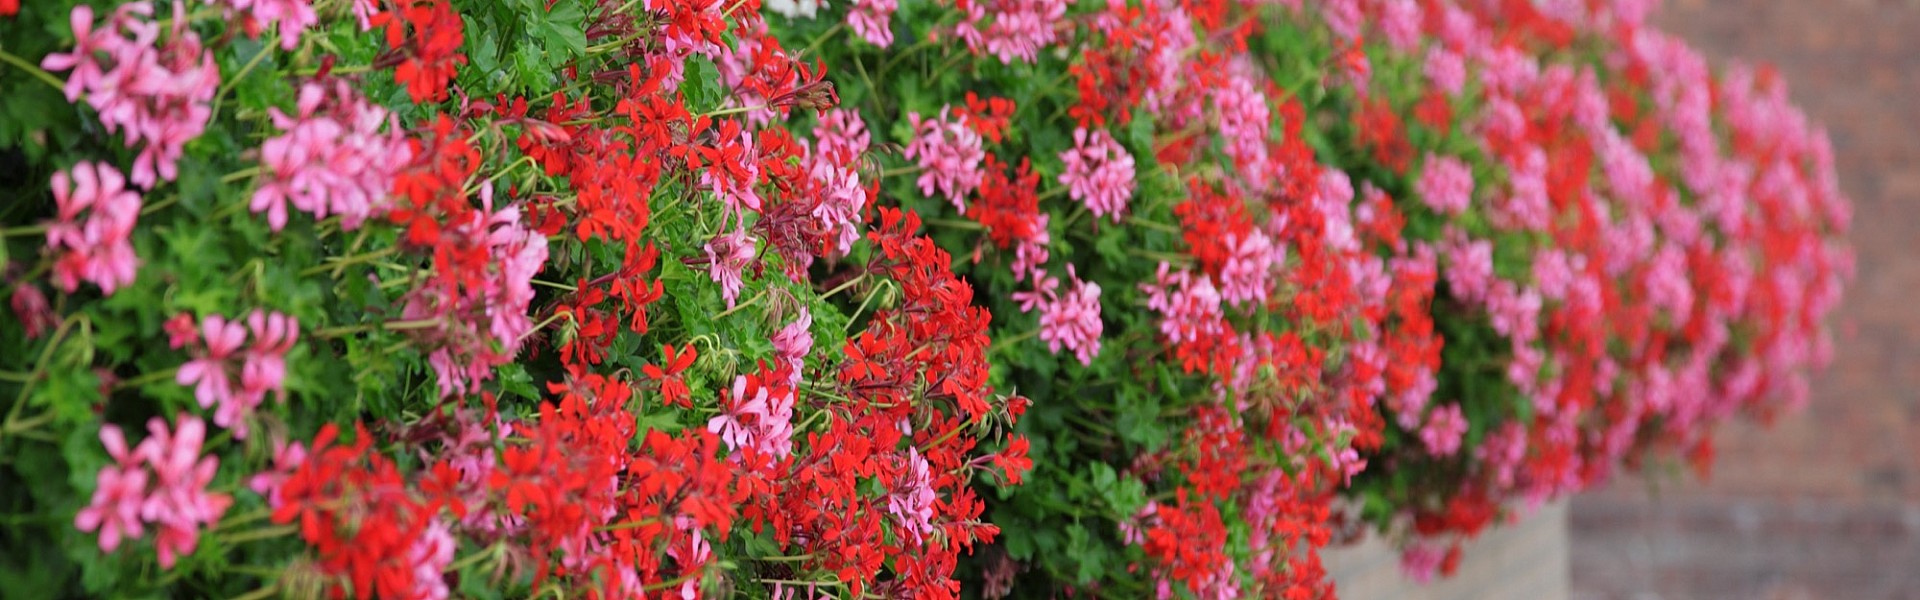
<point>635,299</point>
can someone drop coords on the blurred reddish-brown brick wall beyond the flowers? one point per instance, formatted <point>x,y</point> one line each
<point>1827,503</point>
